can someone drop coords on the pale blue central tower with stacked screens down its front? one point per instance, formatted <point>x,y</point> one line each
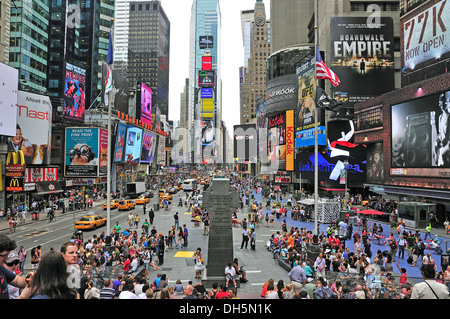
<point>205,21</point>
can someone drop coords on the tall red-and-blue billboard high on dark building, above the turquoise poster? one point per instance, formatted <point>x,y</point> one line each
<point>74,93</point>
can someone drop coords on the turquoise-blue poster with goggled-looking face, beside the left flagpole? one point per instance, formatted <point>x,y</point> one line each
<point>82,152</point>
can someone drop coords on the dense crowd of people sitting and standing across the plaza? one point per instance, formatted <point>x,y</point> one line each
<point>119,266</point>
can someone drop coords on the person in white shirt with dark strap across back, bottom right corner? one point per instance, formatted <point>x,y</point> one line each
<point>429,288</point>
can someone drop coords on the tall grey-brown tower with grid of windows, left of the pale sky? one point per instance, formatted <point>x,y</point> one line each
<point>149,50</point>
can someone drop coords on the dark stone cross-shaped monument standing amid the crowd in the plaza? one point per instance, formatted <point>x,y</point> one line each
<point>220,200</point>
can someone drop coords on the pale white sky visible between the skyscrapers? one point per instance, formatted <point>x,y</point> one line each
<point>179,14</point>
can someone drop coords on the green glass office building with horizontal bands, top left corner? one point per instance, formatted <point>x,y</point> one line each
<point>28,43</point>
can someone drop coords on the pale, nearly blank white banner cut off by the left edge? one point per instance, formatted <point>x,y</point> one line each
<point>8,100</point>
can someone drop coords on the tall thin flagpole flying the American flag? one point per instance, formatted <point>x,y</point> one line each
<point>316,133</point>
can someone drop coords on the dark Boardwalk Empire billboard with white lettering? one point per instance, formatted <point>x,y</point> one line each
<point>361,53</point>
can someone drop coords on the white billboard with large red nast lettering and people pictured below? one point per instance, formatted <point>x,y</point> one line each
<point>34,128</point>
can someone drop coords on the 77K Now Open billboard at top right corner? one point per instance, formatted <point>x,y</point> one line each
<point>425,41</point>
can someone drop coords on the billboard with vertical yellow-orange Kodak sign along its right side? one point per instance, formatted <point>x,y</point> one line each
<point>280,141</point>
